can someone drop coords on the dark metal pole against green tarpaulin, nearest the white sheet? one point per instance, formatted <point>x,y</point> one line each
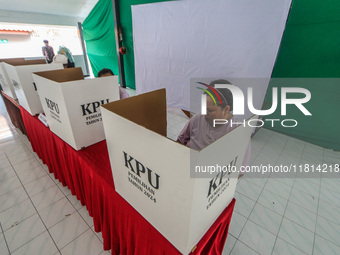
<point>116,20</point>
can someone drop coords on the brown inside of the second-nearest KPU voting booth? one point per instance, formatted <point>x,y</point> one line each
<point>63,75</point>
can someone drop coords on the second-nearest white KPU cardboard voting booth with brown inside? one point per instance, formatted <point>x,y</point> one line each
<point>71,104</point>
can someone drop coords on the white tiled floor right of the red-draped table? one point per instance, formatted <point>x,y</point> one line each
<point>295,215</point>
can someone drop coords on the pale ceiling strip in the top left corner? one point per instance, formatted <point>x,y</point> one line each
<point>71,8</point>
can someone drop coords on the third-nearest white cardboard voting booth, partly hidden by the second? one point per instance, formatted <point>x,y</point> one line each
<point>20,75</point>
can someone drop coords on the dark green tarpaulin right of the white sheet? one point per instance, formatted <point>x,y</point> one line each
<point>310,48</point>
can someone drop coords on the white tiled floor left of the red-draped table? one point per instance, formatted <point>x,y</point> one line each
<point>35,209</point>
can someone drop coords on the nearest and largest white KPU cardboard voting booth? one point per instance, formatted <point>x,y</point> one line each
<point>153,173</point>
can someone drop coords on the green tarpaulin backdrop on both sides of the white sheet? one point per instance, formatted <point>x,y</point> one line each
<point>310,48</point>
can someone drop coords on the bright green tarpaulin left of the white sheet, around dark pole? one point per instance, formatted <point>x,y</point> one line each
<point>98,30</point>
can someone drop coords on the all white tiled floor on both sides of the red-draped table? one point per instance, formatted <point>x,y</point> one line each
<point>292,215</point>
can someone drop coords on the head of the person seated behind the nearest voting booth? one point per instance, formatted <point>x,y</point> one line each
<point>218,110</point>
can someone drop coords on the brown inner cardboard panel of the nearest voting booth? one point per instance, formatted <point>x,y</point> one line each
<point>147,110</point>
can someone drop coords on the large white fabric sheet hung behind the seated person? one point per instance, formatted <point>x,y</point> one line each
<point>216,39</point>
